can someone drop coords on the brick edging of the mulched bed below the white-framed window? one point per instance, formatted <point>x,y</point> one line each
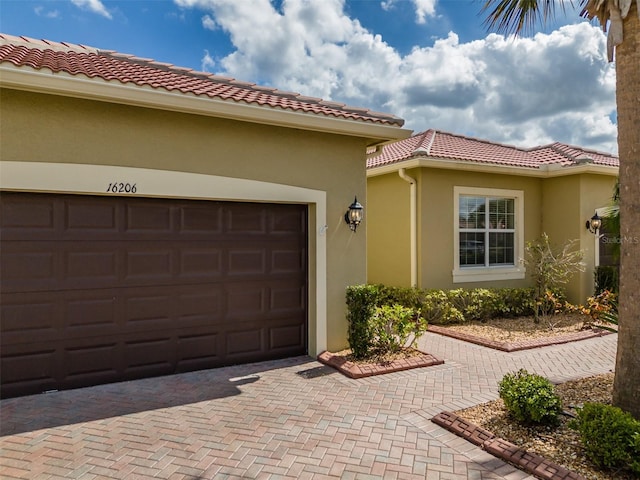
<point>517,346</point>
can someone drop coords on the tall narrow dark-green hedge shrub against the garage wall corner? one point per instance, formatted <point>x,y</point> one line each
<point>361,306</point>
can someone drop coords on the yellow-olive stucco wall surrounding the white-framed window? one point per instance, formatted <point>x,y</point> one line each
<point>557,205</point>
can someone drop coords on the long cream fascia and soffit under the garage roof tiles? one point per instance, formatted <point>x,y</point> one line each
<point>46,81</point>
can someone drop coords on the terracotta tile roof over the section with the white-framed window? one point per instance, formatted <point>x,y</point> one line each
<point>448,146</point>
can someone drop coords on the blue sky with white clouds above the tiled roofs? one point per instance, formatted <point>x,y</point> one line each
<point>430,62</point>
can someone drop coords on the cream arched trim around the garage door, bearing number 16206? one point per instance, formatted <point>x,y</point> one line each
<point>94,180</point>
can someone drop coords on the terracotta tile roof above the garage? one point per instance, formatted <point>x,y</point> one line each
<point>127,69</point>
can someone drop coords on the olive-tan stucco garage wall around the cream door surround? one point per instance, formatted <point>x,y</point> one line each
<point>53,129</point>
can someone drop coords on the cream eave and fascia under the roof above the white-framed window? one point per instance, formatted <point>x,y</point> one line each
<point>544,171</point>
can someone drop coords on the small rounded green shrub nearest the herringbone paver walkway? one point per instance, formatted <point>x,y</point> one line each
<point>530,398</point>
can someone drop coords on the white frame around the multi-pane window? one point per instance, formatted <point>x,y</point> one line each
<point>492,273</point>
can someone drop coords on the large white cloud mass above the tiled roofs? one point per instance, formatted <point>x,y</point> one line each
<point>524,91</point>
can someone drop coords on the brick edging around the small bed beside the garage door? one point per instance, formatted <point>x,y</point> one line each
<point>354,370</point>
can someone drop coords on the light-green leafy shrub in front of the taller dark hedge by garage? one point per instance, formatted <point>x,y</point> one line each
<point>395,327</point>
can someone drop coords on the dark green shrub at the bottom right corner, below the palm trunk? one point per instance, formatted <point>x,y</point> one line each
<point>610,436</point>
